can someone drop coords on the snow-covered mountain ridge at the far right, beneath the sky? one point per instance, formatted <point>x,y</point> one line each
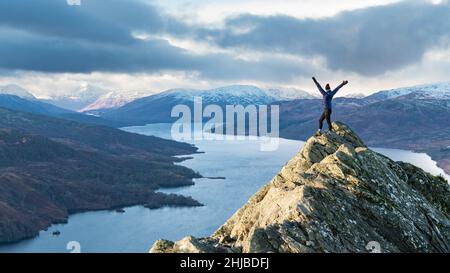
<point>426,91</point>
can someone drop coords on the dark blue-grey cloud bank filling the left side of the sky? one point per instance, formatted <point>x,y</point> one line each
<point>50,36</point>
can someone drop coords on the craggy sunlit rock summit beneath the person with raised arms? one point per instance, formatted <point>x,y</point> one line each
<point>336,195</point>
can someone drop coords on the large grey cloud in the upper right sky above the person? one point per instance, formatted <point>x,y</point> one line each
<point>368,41</point>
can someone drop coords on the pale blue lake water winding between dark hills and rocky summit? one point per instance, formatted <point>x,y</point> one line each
<point>243,165</point>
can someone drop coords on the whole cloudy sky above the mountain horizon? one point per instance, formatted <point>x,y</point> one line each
<point>50,46</point>
